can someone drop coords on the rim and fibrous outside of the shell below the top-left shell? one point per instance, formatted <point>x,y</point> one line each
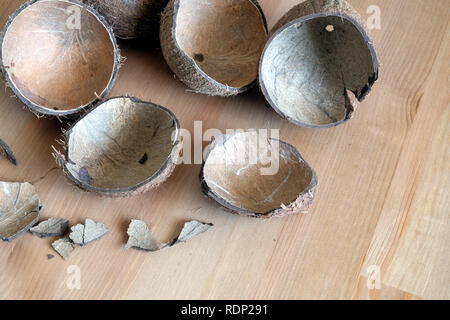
<point>149,184</point>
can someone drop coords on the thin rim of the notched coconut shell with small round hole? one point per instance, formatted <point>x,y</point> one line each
<point>350,108</point>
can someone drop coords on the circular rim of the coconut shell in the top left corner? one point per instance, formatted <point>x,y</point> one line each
<point>47,111</point>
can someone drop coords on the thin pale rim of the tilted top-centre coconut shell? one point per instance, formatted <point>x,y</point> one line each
<point>234,90</point>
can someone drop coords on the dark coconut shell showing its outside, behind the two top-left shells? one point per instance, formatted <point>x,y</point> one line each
<point>131,19</point>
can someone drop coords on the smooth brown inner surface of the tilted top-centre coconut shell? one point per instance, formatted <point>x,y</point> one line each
<point>224,38</point>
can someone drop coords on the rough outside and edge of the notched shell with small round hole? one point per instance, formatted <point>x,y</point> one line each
<point>311,9</point>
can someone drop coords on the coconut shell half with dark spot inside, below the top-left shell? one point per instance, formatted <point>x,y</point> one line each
<point>122,147</point>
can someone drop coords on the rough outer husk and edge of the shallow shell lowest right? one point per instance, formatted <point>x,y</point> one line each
<point>295,207</point>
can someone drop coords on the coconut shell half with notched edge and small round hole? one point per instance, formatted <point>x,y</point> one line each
<point>318,60</point>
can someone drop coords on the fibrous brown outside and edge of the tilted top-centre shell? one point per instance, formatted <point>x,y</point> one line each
<point>184,67</point>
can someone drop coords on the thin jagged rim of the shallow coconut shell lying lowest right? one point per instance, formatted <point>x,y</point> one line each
<point>207,191</point>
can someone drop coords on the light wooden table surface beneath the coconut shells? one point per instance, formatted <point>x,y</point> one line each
<point>383,202</point>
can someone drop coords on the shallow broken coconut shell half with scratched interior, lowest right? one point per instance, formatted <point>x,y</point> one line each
<point>235,174</point>
